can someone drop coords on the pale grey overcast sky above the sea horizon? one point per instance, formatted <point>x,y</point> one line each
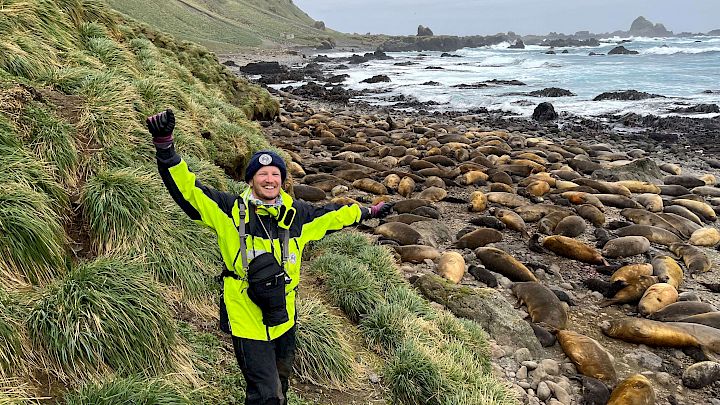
<point>483,17</point>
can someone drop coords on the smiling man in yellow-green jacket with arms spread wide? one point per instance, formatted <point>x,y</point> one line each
<point>261,235</point>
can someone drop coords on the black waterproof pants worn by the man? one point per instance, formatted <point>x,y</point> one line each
<point>266,366</point>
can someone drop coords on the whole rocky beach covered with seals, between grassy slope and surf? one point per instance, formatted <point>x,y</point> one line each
<point>567,201</point>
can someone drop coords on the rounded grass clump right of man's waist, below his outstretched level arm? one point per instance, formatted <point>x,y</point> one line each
<point>350,284</point>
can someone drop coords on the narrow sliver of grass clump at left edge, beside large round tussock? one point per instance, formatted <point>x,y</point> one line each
<point>10,345</point>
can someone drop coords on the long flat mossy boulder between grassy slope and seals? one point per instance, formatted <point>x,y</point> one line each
<point>485,306</point>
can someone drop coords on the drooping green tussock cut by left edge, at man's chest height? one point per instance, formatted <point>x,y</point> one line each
<point>33,242</point>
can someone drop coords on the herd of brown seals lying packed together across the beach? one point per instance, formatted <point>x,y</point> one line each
<point>540,216</point>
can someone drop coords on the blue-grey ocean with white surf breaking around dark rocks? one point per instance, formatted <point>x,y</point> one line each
<point>684,70</point>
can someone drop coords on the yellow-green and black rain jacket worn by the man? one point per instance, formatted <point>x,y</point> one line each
<point>219,211</point>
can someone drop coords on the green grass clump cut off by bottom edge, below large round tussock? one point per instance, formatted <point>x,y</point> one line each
<point>130,390</point>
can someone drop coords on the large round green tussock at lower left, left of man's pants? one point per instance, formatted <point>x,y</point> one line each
<point>104,314</point>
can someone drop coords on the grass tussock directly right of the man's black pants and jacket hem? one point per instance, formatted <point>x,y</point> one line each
<point>324,356</point>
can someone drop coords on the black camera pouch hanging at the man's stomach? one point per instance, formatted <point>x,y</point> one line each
<point>267,288</point>
